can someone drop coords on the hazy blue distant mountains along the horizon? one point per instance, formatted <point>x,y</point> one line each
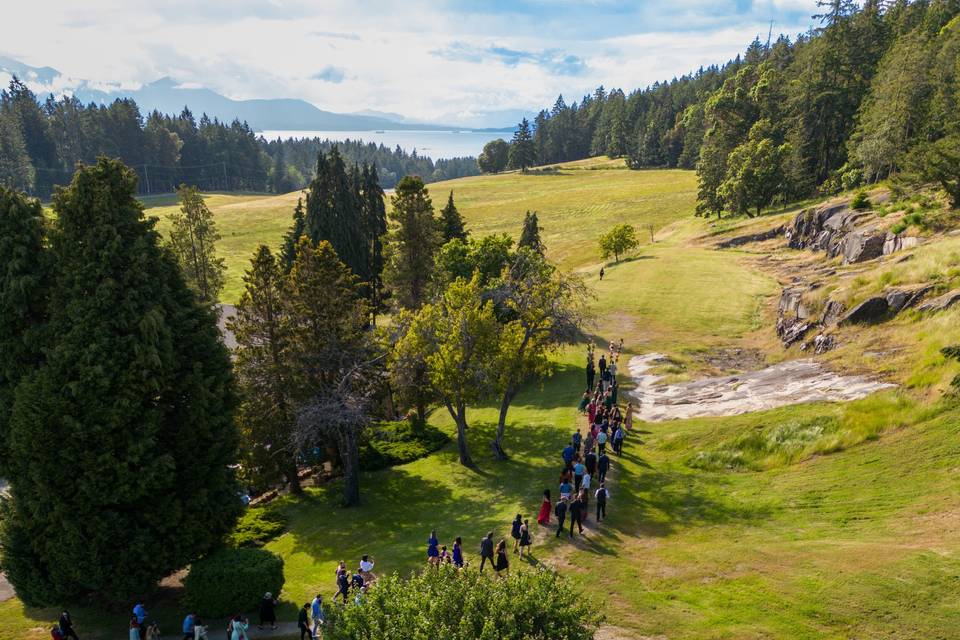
<point>169,96</point>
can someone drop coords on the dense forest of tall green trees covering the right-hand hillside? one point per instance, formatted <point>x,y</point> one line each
<point>870,93</point>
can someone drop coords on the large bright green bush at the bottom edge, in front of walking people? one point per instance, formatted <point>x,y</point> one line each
<point>466,605</point>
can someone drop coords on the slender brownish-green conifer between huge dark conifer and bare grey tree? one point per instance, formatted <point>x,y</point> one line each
<point>267,410</point>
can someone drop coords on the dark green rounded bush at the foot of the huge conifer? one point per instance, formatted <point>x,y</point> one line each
<point>231,581</point>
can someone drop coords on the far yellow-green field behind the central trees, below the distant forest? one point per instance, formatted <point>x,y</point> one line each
<point>575,205</point>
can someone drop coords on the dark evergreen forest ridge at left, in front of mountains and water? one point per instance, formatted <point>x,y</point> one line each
<point>42,141</point>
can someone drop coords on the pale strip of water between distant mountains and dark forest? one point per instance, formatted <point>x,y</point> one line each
<point>433,144</point>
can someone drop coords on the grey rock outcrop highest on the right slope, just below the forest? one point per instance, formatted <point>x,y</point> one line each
<point>836,229</point>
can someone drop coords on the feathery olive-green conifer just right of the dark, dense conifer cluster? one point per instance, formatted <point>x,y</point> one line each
<point>412,243</point>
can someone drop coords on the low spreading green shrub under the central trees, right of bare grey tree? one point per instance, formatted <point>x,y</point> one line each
<point>393,443</point>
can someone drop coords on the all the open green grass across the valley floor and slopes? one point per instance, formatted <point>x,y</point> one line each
<point>842,522</point>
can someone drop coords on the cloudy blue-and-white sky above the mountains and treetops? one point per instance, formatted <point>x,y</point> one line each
<point>430,60</point>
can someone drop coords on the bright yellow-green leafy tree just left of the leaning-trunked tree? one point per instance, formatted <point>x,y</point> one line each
<point>458,340</point>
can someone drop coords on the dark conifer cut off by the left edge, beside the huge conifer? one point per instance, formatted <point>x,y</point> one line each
<point>24,281</point>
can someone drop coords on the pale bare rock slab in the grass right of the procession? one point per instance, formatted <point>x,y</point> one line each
<point>787,383</point>
